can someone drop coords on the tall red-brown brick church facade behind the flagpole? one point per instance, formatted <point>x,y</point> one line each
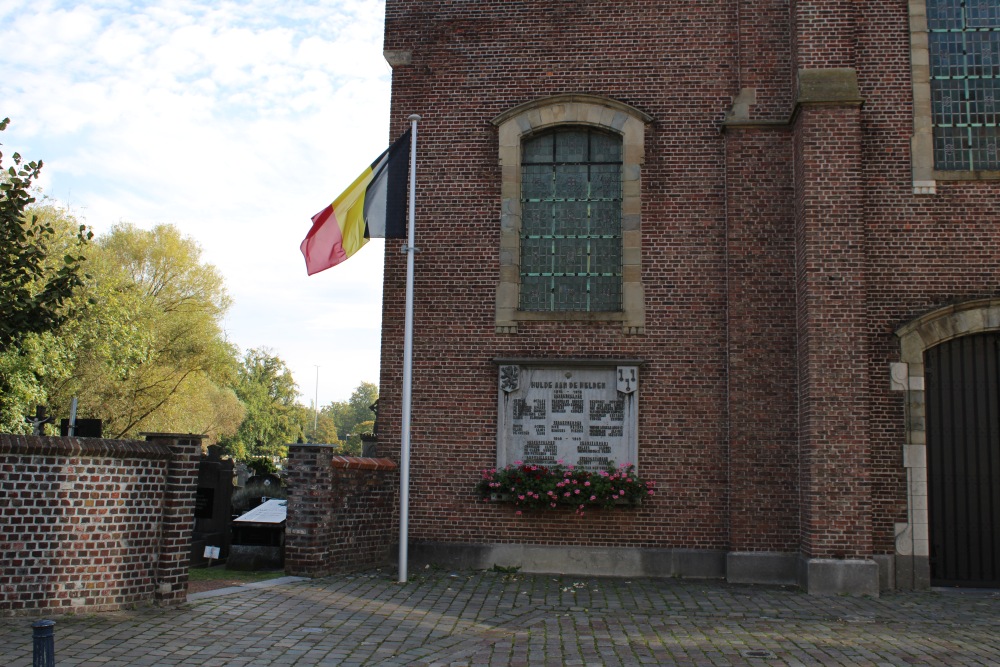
<point>723,404</point>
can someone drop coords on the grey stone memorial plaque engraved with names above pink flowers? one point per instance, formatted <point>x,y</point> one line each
<point>582,416</point>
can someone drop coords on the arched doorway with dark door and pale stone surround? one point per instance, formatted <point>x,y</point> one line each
<point>948,370</point>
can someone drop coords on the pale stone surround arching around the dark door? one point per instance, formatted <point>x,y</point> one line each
<point>915,337</point>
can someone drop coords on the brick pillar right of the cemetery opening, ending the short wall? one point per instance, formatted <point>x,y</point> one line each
<point>309,524</point>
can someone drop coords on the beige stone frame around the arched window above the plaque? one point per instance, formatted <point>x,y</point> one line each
<point>536,118</point>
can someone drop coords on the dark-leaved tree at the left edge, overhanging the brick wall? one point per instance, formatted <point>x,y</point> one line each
<point>35,285</point>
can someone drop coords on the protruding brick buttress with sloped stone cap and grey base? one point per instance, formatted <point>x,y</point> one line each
<point>836,512</point>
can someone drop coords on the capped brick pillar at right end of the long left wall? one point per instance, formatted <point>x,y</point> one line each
<point>178,514</point>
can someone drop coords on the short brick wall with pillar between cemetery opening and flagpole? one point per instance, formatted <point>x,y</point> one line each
<point>342,512</point>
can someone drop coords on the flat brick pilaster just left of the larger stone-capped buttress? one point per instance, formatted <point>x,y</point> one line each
<point>763,445</point>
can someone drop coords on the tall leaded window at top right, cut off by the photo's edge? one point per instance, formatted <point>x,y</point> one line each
<point>965,83</point>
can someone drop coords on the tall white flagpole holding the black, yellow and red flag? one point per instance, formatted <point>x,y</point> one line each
<point>404,456</point>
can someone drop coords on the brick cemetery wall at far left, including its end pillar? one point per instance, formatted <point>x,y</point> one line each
<point>93,525</point>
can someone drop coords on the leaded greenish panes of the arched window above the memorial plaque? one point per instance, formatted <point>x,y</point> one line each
<point>571,230</point>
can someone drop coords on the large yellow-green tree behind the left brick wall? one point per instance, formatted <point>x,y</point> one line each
<point>149,348</point>
